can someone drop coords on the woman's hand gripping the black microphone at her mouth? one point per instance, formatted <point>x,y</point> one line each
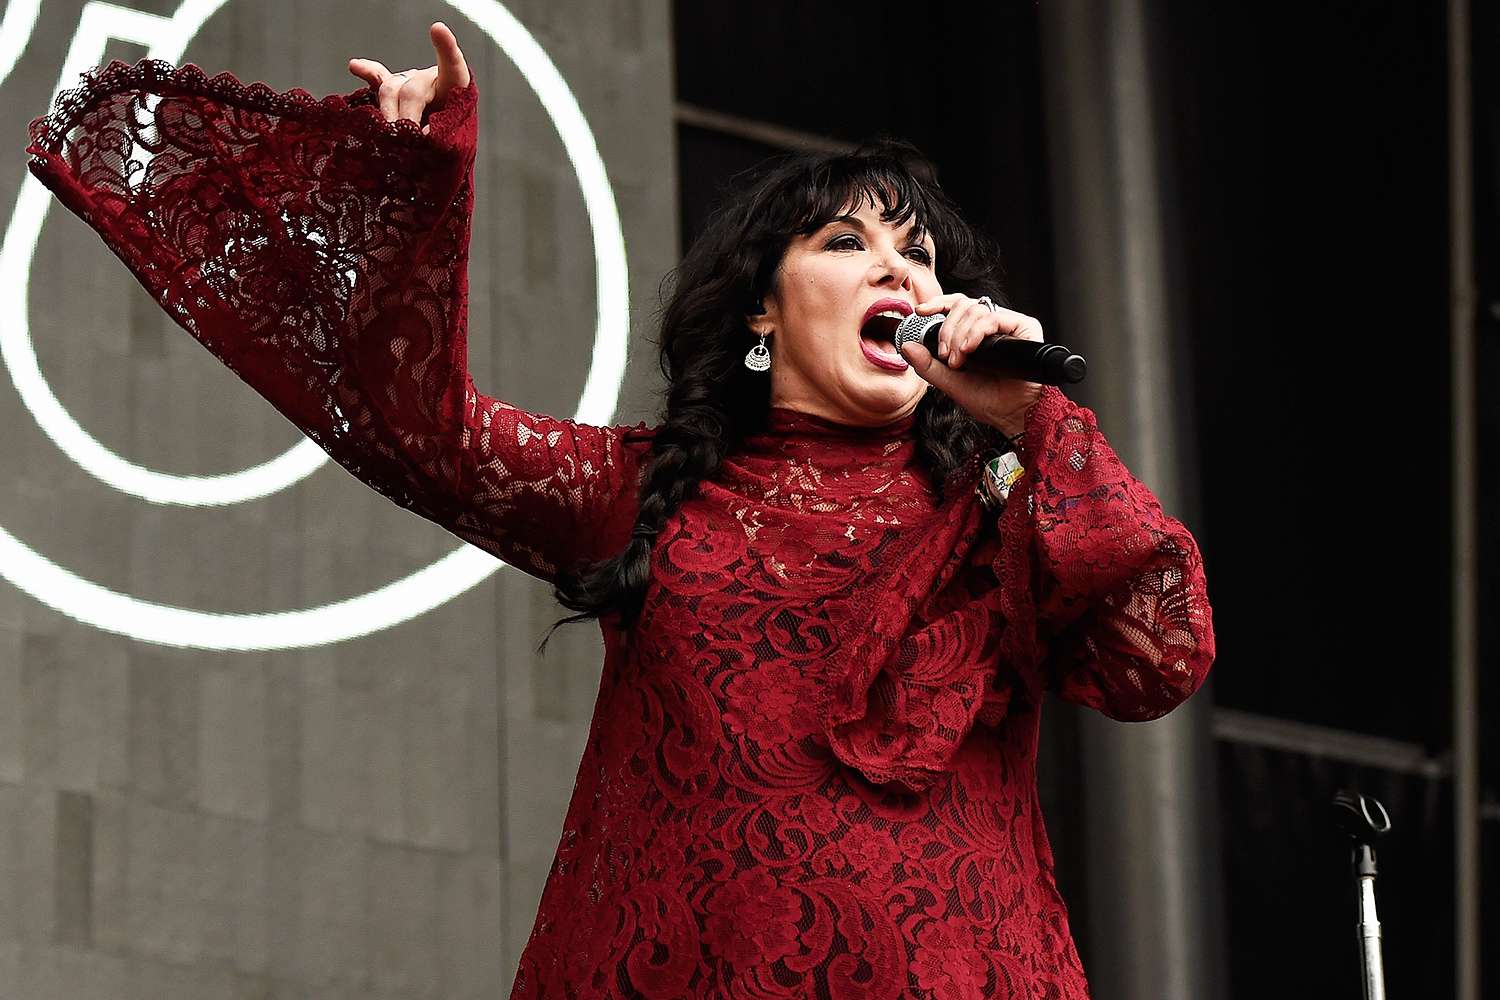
<point>994,361</point>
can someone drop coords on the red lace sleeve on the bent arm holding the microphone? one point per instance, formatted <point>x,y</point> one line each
<point>1121,602</point>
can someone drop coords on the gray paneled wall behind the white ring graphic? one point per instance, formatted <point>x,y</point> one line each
<point>367,819</point>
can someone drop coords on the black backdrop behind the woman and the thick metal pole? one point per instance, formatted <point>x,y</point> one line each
<point>1309,170</point>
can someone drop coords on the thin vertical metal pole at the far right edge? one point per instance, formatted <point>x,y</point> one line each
<point>1466,548</point>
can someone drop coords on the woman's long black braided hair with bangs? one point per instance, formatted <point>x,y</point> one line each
<point>713,401</point>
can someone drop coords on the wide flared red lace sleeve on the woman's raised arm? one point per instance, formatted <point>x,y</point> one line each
<point>322,253</point>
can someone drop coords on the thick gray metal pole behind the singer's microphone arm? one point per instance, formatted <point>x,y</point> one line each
<point>1154,894</point>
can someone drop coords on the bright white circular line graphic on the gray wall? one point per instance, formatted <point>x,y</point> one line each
<point>383,608</point>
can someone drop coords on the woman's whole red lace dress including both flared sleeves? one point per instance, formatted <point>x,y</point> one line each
<point>812,765</point>
